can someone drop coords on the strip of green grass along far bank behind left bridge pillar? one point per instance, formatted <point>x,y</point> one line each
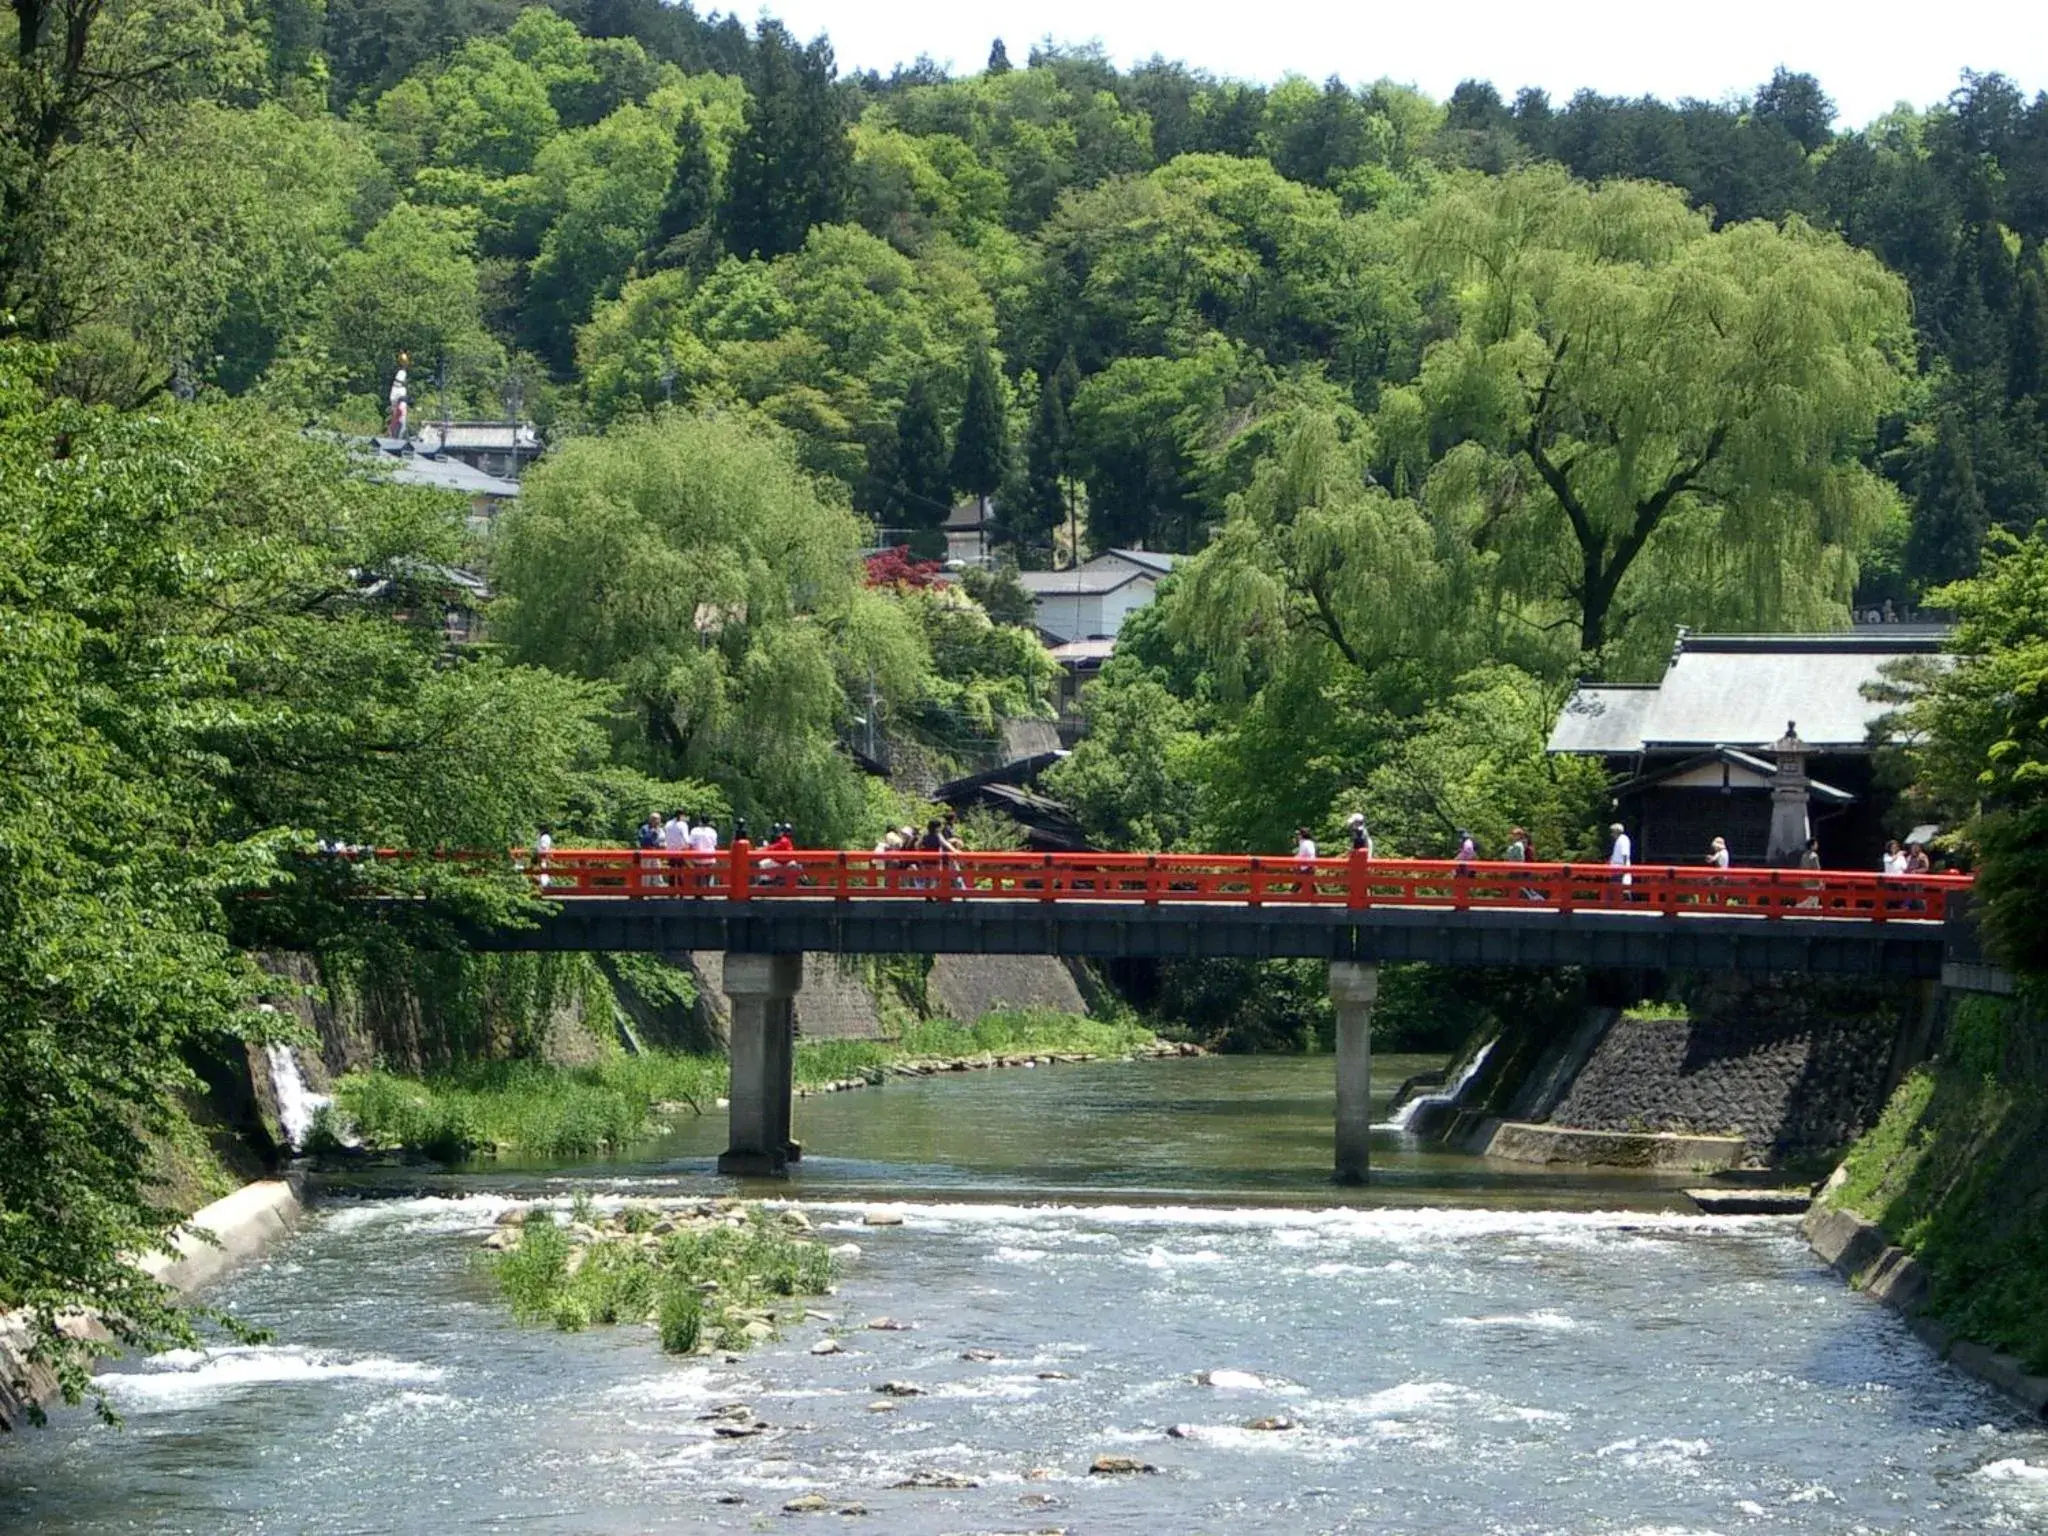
<point>548,1111</point>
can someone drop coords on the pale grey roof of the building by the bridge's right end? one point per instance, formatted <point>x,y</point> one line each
<point>1742,689</point>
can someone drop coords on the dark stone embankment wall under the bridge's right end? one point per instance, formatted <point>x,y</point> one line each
<point>1795,1070</point>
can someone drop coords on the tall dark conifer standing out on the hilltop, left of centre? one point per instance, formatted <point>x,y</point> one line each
<point>794,161</point>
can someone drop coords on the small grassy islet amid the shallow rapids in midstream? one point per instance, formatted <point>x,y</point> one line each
<point>699,1287</point>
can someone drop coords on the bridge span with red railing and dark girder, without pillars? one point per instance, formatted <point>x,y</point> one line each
<point>1179,906</point>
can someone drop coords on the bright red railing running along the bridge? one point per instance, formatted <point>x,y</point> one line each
<point>742,873</point>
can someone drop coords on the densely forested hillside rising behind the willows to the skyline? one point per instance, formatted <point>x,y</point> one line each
<point>603,208</point>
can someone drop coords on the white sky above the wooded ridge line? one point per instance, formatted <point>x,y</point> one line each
<point>1867,56</point>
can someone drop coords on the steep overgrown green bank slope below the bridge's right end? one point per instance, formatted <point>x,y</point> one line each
<point>1957,1175</point>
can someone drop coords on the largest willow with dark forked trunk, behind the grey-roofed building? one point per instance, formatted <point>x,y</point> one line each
<point>1650,421</point>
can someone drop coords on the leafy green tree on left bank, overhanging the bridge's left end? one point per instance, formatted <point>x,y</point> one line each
<point>204,675</point>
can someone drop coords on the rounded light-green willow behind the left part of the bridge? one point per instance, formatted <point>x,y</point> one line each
<point>691,562</point>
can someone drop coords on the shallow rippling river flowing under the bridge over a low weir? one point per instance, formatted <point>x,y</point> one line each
<point>1461,1349</point>
